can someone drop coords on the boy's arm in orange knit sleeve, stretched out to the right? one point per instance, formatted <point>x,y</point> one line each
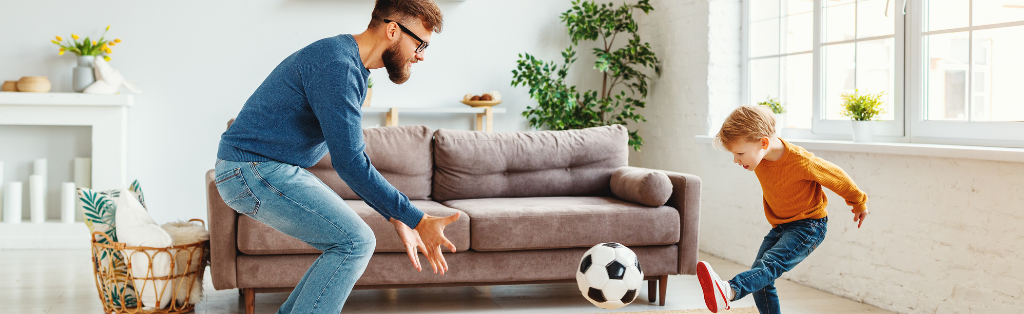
<point>834,178</point>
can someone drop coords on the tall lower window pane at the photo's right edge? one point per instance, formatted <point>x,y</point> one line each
<point>999,95</point>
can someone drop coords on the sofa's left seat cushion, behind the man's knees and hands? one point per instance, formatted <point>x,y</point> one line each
<point>258,239</point>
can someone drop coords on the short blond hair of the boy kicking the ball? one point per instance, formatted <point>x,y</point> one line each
<point>747,123</point>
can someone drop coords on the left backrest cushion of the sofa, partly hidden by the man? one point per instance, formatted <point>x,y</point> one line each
<point>402,155</point>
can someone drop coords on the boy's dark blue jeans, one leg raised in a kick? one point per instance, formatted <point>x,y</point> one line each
<point>783,249</point>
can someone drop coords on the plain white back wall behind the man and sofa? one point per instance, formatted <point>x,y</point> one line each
<point>198,62</point>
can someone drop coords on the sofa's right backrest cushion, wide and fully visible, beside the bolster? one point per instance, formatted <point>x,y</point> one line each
<point>479,165</point>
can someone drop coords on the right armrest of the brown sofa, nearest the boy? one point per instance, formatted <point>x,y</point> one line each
<point>687,199</point>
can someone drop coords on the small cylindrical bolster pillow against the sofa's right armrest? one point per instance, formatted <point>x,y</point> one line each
<point>642,186</point>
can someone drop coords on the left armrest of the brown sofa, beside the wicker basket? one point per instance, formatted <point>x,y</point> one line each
<point>224,236</point>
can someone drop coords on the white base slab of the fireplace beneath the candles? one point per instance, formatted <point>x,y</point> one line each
<point>49,236</point>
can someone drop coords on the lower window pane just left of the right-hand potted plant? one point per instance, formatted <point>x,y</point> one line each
<point>840,77</point>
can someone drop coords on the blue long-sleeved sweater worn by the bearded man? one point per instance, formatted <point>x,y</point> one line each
<point>310,105</point>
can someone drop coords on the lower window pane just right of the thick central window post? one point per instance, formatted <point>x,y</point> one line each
<point>946,82</point>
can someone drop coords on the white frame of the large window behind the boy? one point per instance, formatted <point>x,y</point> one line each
<point>909,124</point>
